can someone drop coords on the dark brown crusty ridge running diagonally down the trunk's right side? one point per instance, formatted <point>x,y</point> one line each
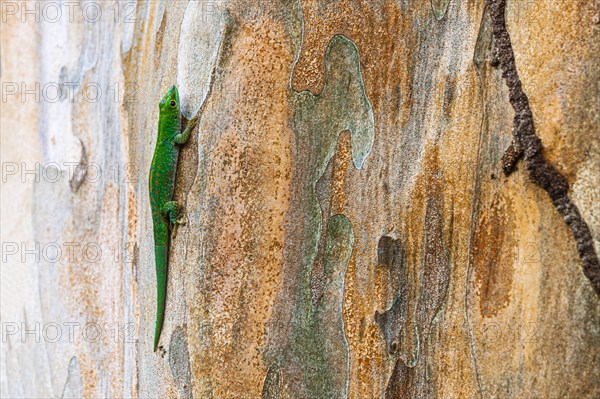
<point>540,171</point>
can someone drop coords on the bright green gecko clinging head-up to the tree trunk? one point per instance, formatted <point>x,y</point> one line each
<point>165,211</point>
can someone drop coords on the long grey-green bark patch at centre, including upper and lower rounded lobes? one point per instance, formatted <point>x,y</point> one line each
<point>316,358</point>
